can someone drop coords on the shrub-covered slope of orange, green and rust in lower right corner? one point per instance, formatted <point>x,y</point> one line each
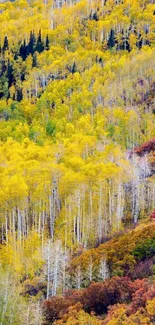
<point>119,276</point>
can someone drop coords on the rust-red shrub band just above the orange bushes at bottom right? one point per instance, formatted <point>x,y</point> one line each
<point>99,296</point>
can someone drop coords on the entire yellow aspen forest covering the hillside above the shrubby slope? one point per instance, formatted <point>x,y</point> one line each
<point>65,145</point>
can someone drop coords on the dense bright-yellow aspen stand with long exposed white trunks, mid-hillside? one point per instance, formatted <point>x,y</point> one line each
<point>75,188</point>
